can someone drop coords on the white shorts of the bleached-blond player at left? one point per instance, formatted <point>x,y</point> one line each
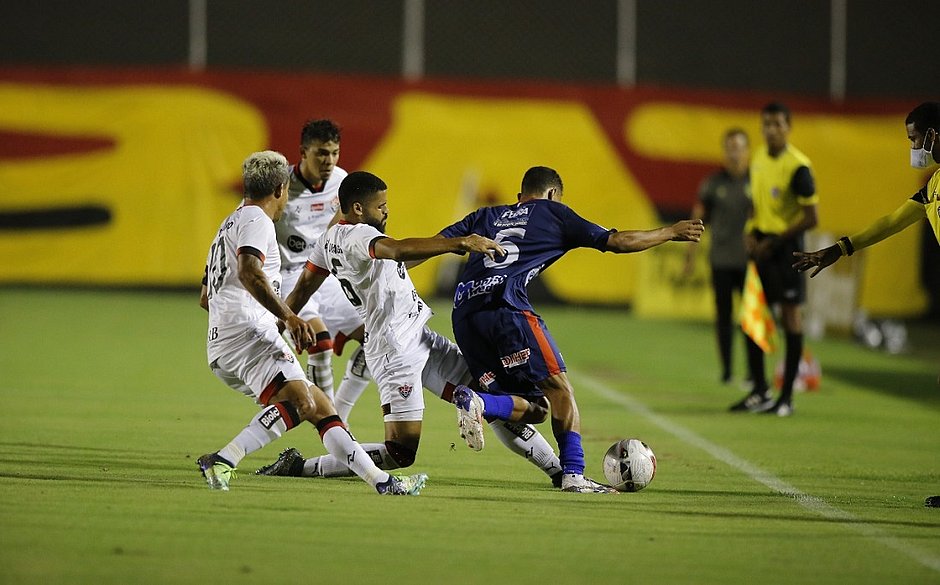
<point>254,362</point>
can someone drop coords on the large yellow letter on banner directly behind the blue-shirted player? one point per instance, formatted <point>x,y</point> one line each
<point>438,145</point>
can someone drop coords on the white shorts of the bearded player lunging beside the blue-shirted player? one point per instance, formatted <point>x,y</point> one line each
<point>430,360</point>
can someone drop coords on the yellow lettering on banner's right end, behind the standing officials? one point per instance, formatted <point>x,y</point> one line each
<point>861,168</point>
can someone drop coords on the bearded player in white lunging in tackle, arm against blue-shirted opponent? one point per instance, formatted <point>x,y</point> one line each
<point>402,352</point>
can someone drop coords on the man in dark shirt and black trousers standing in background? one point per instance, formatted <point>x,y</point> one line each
<point>724,204</point>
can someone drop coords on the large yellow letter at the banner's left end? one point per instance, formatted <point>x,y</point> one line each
<point>168,181</point>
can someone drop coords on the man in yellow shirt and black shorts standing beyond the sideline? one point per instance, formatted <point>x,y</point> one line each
<point>784,194</point>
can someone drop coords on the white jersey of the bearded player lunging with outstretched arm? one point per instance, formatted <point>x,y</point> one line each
<point>381,290</point>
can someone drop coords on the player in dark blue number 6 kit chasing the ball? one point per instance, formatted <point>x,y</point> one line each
<point>506,344</point>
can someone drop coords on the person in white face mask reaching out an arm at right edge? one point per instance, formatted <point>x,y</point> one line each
<point>923,127</point>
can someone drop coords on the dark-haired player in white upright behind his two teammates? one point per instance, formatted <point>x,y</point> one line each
<point>312,204</point>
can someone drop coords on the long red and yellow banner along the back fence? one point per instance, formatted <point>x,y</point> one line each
<point>121,177</point>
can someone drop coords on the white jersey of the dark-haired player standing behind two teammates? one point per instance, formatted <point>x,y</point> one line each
<point>306,217</point>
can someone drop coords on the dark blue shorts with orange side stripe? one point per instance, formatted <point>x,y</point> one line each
<point>507,350</point>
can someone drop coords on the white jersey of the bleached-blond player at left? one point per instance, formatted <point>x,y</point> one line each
<point>232,309</point>
